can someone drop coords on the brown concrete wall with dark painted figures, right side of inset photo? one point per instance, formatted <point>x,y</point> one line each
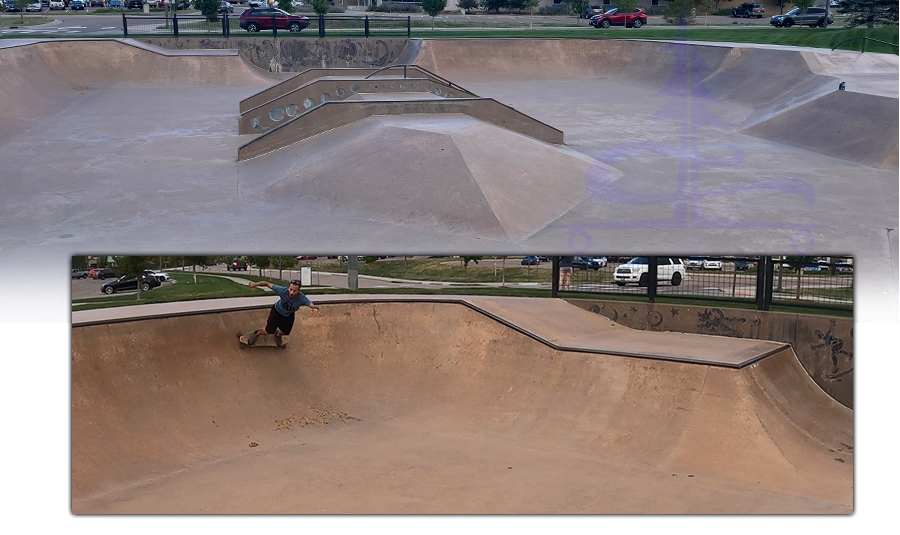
<point>824,345</point>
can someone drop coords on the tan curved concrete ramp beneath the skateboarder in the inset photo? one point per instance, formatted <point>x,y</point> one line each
<point>430,407</point>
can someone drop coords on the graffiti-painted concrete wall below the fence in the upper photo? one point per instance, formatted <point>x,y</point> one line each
<point>296,55</point>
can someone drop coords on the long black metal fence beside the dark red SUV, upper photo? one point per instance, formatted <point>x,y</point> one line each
<point>226,26</point>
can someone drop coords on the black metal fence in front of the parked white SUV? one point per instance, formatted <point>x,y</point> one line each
<point>760,281</point>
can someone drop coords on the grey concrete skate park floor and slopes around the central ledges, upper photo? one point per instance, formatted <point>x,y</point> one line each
<point>126,141</point>
